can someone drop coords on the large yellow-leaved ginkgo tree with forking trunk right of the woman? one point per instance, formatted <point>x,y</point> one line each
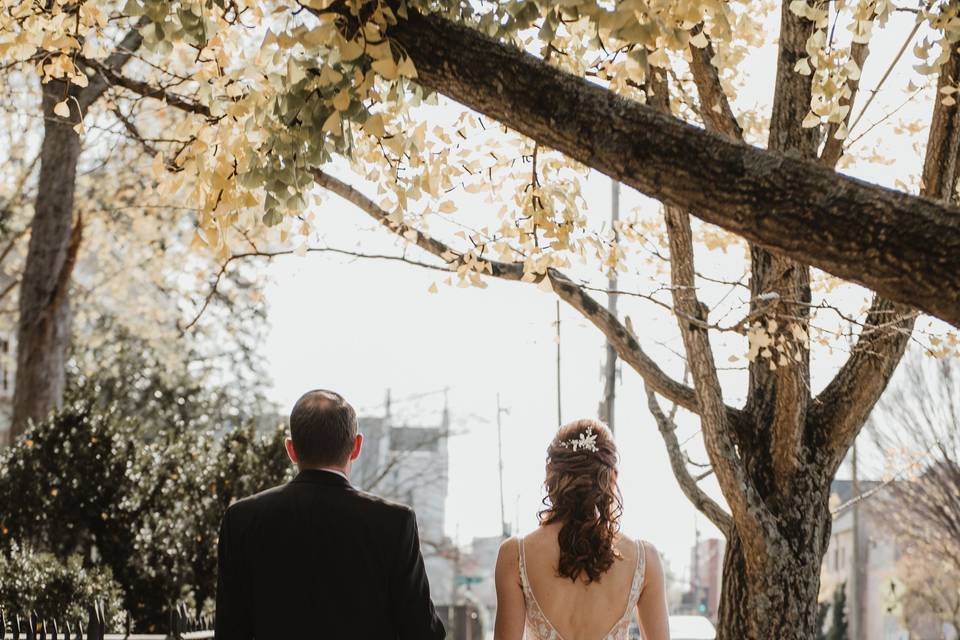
<point>272,93</point>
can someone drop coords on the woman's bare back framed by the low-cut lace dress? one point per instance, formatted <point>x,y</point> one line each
<point>578,609</point>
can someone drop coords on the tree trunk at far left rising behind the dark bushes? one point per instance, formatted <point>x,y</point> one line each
<point>43,334</point>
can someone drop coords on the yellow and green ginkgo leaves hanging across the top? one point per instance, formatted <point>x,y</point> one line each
<point>272,90</point>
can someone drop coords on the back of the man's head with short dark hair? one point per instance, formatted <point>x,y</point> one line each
<point>323,427</point>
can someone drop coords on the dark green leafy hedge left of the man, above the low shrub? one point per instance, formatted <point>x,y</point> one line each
<point>88,488</point>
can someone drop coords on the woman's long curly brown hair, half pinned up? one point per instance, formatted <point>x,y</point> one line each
<point>583,496</point>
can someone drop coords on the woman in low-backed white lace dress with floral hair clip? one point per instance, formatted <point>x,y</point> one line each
<point>576,577</point>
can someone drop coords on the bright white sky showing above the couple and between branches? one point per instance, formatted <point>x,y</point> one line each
<point>362,327</point>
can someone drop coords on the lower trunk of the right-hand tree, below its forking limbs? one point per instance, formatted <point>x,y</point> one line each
<point>778,601</point>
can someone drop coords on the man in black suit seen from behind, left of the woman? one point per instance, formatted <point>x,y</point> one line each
<point>316,558</point>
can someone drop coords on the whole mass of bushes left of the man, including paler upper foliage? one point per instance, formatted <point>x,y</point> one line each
<point>126,485</point>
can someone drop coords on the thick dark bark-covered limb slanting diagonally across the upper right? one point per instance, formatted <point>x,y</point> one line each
<point>905,247</point>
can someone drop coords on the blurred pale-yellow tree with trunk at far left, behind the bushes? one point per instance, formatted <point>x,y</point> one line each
<point>124,270</point>
